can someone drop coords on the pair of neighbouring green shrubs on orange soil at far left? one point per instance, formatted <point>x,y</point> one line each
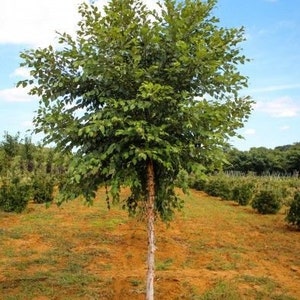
<point>16,192</point>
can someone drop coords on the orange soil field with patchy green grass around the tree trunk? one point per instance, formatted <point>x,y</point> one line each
<point>212,250</point>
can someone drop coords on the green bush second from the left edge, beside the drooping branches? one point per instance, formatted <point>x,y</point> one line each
<point>42,189</point>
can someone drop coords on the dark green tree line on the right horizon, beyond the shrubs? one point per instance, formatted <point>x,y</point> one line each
<point>282,160</point>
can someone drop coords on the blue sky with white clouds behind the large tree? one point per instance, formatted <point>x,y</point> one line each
<point>272,32</point>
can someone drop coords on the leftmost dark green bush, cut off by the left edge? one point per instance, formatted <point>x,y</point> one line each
<point>14,195</point>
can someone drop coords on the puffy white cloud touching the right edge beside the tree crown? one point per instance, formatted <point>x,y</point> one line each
<point>279,108</point>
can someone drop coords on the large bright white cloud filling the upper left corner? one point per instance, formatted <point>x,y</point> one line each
<point>35,22</point>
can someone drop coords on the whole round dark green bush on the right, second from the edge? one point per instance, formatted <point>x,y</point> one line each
<point>267,202</point>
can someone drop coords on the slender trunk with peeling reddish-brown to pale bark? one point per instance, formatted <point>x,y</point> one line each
<point>151,235</point>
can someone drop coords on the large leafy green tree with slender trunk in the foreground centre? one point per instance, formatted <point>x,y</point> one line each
<point>139,96</point>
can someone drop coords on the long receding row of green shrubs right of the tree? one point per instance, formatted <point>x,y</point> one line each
<point>267,195</point>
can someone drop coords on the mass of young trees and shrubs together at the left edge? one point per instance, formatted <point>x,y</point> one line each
<point>22,161</point>
